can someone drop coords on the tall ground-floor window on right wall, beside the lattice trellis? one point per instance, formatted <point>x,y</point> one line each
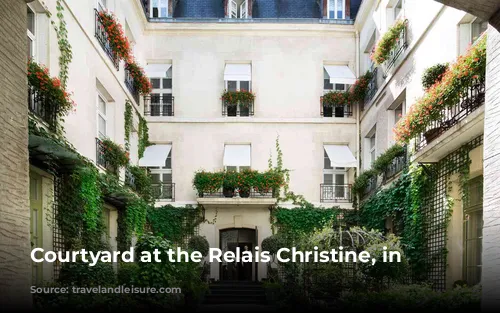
<point>473,229</point>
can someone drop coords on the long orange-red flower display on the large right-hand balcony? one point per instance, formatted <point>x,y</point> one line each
<point>460,75</point>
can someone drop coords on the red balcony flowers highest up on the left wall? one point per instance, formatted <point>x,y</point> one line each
<point>117,40</point>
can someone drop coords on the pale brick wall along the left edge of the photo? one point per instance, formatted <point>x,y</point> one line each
<point>15,262</point>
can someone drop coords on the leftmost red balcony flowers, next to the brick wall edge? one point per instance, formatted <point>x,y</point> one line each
<point>50,87</point>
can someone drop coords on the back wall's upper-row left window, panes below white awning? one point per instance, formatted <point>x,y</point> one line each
<point>161,95</point>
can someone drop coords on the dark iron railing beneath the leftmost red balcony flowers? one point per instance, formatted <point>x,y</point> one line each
<point>42,106</point>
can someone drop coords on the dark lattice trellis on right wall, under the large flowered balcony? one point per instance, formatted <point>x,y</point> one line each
<point>436,210</point>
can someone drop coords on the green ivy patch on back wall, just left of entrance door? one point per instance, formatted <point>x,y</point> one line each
<point>174,223</point>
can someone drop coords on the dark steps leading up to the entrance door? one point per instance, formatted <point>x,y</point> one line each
<point>236,293</point>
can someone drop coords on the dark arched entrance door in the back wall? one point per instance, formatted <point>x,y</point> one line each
<point>232,240</point>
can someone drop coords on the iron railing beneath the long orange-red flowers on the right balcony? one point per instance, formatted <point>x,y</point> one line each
<point>471,99</point>
